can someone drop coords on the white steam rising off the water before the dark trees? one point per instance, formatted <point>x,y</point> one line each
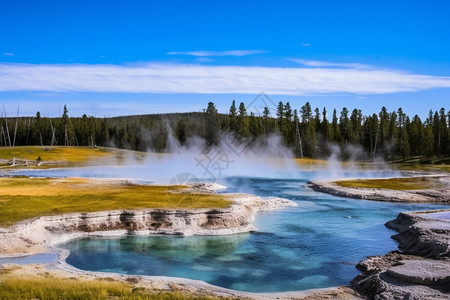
<point>265,157</point>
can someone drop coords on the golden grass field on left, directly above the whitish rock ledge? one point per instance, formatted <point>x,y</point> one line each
<point>23,198</point>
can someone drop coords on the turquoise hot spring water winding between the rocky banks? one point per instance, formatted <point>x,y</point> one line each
<point>314,245</point>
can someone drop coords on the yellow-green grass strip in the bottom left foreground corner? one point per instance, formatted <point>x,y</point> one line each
<point>62,288</point>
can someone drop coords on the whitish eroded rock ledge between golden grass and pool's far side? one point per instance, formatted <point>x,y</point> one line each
<point>38,234</point>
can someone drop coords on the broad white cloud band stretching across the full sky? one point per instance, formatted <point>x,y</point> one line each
<point>202,79</point>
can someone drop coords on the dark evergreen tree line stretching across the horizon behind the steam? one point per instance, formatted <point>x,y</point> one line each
<point>308,132</point>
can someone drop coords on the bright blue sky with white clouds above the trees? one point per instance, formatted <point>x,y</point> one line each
<point>108,58</point>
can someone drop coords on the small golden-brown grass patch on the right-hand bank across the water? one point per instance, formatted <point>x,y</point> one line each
<point>416,183</point>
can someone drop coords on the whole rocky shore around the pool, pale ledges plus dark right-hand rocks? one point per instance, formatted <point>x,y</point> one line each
<point>420,271</point>
